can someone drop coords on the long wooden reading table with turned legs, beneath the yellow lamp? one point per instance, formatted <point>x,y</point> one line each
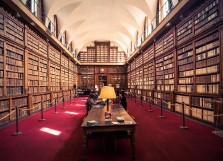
<point>97,113</point>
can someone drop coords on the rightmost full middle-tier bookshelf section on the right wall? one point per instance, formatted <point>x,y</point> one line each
<point>207,72</point>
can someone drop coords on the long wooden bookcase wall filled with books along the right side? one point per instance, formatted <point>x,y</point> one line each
<point>184,64</point>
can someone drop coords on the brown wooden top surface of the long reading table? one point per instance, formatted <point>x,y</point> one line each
<point>97,115</point>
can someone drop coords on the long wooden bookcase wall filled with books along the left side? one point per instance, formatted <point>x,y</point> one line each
<point>30,70</point>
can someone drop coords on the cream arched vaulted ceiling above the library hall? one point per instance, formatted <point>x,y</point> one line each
<point>86,21</point>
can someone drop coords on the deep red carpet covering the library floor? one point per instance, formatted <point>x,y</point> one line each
<point>156,139</point>
